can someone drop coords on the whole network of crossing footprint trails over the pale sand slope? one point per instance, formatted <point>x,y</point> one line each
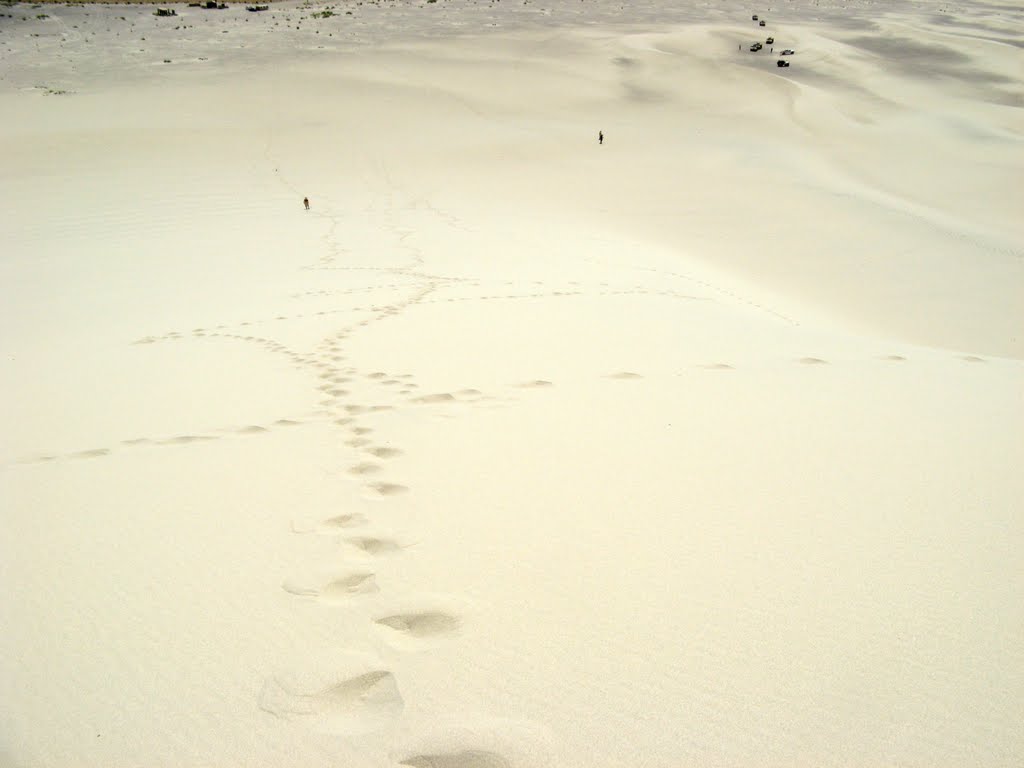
<point>350,398</point>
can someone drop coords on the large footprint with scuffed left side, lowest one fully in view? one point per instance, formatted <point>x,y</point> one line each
<point>359,705</point>
